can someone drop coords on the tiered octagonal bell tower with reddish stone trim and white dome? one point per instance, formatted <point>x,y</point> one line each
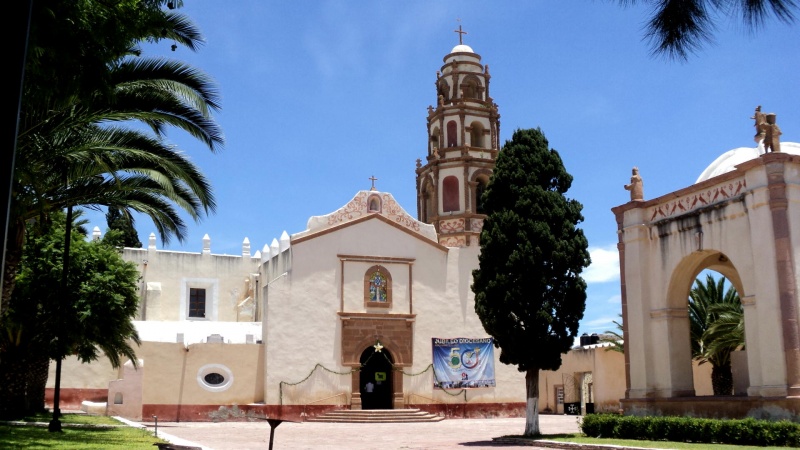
<point>463,137</point>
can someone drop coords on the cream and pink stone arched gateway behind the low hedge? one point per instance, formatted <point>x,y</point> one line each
<point>745,224</point>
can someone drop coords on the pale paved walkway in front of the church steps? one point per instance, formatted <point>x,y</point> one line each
<point>447,434</point>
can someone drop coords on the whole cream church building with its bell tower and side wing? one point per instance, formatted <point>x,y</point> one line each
<point>341,315</point>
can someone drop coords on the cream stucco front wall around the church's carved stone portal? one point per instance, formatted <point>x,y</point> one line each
<point>302,327</point>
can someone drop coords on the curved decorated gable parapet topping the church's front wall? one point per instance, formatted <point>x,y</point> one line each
<point>366,203</point>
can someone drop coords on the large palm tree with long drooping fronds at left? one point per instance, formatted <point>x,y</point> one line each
<point>78,149</point>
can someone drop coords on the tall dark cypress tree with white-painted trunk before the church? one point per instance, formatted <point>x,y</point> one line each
<point>529,294</point>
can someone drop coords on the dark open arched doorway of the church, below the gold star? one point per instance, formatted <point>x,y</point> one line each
<point>375,379</point>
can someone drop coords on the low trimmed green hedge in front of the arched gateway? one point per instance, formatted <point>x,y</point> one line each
<point>686,429</point>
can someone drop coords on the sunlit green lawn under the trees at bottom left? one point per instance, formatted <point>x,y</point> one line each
<point>37,437</point>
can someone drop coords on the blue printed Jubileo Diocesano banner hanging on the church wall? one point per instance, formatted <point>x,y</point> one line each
<point>463,363</point>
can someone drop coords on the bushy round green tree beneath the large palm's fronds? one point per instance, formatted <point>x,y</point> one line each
<point>95,315</point>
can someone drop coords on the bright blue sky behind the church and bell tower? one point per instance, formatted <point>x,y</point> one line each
<point>320,95</point>
